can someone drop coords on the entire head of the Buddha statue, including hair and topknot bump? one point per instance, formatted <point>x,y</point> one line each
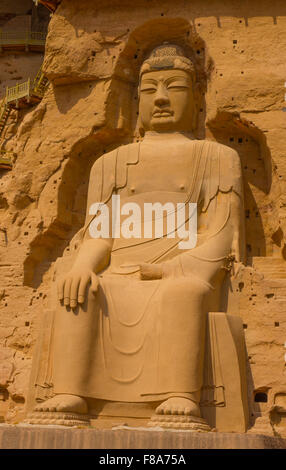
<point>166,91</point>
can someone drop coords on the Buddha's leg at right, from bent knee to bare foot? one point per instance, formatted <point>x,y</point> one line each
<point>182,325</point>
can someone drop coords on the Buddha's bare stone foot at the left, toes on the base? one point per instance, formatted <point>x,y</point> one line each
<point>67,410</point>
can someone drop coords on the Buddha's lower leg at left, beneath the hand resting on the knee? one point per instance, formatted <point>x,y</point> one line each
<point>74,335</point>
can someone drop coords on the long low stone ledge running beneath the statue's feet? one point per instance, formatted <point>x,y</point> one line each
<point>59,437</point>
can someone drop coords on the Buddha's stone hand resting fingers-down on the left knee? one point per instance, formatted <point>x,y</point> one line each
<point>72,287</point>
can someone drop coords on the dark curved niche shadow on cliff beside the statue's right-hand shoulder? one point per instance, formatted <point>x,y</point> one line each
<point>250,143</point>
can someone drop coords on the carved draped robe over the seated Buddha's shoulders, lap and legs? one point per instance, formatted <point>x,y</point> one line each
<point>121,345</point>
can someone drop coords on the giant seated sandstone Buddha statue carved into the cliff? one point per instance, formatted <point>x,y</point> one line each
<point>130,321</point>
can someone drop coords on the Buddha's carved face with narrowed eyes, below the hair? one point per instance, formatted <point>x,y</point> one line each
<point>166,101</point>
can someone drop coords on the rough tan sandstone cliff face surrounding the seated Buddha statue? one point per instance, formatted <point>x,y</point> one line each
<point>93,55</point>
